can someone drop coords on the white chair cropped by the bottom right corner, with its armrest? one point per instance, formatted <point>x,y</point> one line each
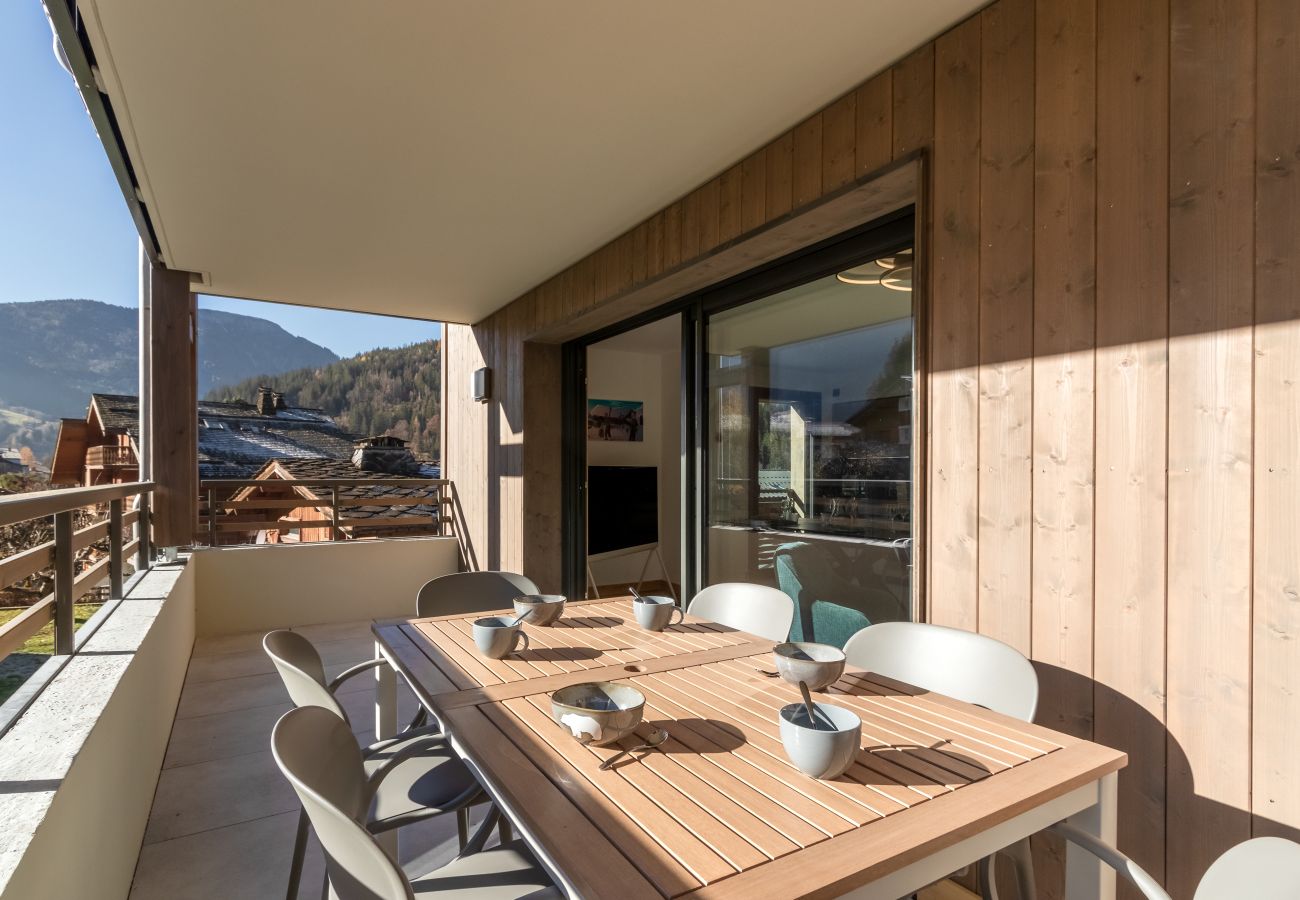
<point>1260,869</point>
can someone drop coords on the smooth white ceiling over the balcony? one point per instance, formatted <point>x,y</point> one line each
<point>437,159</point>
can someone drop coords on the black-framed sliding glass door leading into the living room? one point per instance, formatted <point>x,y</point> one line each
<point>796,431</point>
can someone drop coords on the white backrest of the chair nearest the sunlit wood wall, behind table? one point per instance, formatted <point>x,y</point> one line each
<point>961,664</point>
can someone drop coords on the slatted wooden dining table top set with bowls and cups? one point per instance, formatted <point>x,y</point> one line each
<point>718,810</point>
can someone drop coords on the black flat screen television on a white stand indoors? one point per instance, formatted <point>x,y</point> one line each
<point>622,508</point>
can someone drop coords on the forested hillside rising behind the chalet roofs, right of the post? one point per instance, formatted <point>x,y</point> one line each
<point>382,392</point>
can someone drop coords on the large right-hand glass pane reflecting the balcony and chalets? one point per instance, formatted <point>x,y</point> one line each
<point>811,425</point>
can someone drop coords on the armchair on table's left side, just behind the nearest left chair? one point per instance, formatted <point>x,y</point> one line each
<point>423,776</point>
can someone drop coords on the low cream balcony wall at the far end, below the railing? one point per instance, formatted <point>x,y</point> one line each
<point>278,586</point>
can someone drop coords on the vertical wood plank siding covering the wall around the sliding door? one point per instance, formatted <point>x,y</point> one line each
<point>1113,340</point>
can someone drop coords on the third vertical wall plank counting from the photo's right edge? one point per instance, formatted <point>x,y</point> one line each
<point>1132,380</point>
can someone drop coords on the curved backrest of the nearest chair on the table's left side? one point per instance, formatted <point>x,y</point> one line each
<point>319,756</point>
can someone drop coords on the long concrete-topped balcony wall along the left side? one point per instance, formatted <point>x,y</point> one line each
<point>79,771</point>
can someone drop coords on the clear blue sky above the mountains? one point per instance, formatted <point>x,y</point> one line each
<point>64,228</point>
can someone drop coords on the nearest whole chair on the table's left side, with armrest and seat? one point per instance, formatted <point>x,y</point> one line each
<point>317,752</point>
